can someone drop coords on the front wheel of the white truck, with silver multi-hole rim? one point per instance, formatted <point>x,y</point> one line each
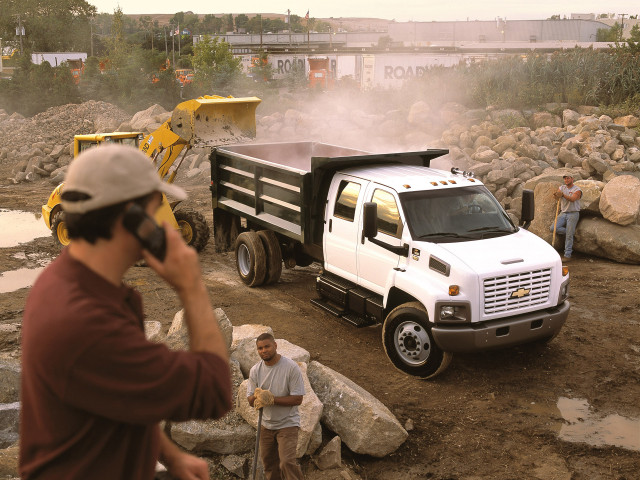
<point>407,339</point>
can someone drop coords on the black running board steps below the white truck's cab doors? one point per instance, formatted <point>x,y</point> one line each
<point>346,300</point>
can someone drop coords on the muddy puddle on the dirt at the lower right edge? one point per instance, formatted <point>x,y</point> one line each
<point>581,424</point>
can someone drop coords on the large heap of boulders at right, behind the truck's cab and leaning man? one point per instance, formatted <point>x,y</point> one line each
<point>603,155</point>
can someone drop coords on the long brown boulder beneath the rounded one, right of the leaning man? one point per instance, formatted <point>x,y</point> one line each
<point>602,238</point>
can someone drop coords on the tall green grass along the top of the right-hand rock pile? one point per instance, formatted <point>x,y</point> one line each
<point>577,76</point>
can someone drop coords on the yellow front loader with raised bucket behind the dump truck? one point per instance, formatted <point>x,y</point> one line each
<point>207,121</point>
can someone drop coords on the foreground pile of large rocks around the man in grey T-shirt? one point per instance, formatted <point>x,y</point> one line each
<point>332,401</point>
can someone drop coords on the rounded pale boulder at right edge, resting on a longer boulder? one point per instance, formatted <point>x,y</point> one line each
<point>620,200</point>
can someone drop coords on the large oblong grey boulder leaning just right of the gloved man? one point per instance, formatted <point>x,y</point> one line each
<point>364,424</point>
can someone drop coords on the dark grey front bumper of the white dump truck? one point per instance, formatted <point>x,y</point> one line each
<point>505,332</point>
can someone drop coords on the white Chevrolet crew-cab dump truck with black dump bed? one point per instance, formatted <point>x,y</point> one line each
<point>430,255</point>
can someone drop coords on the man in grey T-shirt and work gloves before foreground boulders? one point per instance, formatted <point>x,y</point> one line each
<point>277,386</point>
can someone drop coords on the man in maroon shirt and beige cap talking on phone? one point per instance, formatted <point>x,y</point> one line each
<point>93,388</point>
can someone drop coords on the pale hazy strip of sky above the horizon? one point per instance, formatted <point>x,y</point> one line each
<point>404,10</point>
